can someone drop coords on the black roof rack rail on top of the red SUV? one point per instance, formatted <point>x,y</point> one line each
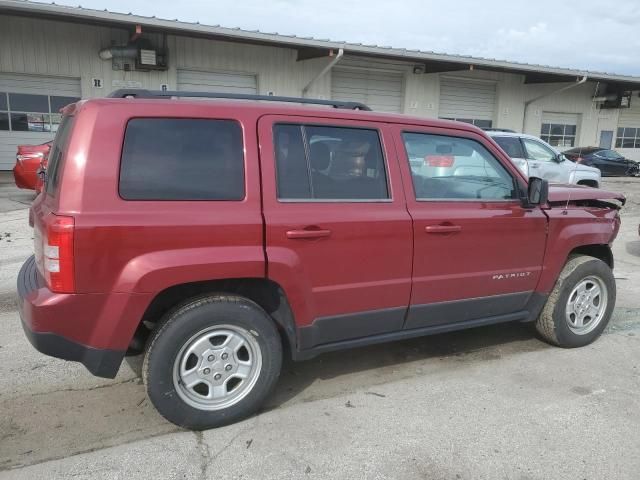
<point>143,93</point>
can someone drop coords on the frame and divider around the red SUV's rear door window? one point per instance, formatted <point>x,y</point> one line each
<point>331,200</point>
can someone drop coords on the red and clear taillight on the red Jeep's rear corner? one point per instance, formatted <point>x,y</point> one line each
<point>57,254</point>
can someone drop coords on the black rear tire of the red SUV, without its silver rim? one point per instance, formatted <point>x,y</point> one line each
<point>178,328</point>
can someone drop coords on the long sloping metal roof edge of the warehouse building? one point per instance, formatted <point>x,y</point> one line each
<point>310,47</point>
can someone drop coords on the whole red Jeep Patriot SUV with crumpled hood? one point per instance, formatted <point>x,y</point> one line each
<point>214,236</point>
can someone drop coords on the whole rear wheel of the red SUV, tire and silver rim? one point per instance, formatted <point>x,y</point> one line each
<point>212,361</point>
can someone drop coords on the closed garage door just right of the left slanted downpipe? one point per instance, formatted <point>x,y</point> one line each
<point>382,91</point>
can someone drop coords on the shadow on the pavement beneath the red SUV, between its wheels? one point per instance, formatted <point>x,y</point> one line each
<point>341,372</point>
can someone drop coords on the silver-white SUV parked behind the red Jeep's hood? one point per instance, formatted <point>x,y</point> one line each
<point>537,158</point>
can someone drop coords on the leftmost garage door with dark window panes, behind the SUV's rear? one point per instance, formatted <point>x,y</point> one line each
<point>29,106</point>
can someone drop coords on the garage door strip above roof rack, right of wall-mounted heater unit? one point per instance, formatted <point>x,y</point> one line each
<point>217,82</point>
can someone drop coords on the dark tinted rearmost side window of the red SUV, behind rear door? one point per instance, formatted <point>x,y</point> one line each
<point>182,159</point>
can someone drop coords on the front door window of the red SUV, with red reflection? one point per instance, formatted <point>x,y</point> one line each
<point>453,168</point>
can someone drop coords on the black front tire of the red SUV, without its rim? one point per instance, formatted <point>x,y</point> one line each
<point>552,324</point>
